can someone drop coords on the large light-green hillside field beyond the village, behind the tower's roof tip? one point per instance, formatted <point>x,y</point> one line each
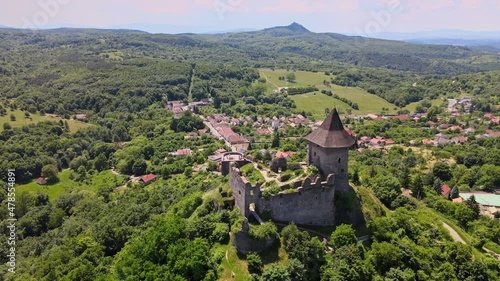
<point>316,103</point>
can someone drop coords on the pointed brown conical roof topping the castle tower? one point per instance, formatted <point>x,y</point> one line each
<point>331,133</point>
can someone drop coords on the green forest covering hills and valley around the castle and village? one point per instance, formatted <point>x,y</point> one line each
<point>89,222</point>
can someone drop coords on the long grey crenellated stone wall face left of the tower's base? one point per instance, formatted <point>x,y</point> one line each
<point>312,204</point>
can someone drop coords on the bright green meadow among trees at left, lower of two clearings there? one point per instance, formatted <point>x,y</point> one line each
<point>65,184</point>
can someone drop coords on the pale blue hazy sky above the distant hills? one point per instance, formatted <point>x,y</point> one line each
<point>342,16</point>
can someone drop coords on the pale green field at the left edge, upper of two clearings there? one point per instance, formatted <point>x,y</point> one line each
<point>21,120</point>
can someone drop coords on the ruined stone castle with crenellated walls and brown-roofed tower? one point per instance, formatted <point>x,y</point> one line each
<point>307,201</point>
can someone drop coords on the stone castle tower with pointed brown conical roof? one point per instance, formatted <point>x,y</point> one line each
<point>328,149</point>
